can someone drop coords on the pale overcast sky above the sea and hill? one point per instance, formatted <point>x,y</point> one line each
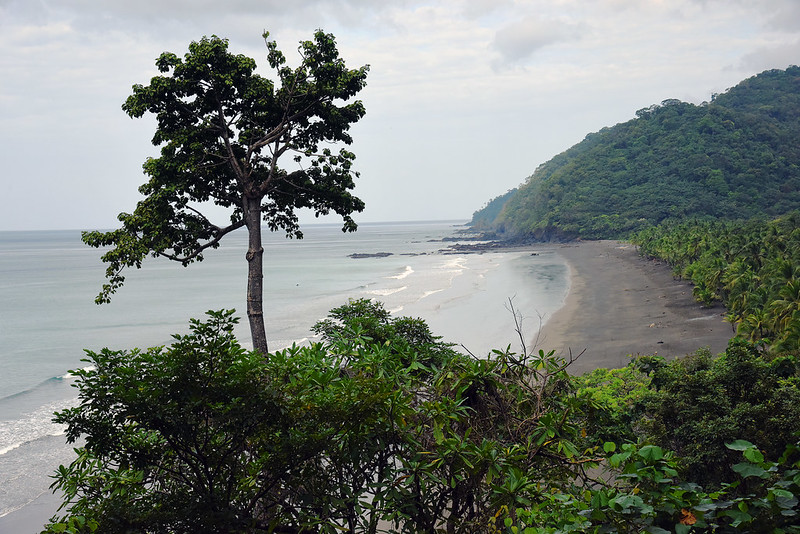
<point>464,99</point>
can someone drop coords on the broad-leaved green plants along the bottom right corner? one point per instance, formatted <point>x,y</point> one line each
<point>644,495</point>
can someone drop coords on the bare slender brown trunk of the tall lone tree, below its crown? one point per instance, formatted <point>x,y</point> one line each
<point>255,274</point>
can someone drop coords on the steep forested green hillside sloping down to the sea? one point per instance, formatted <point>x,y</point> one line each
<point>735,157</point>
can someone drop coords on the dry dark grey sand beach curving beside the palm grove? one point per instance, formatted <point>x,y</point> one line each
<point>621,304</point>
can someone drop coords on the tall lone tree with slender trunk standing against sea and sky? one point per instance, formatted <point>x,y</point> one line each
<point>222,129</point>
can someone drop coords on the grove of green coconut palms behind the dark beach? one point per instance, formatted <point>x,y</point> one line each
<point>753,267</point>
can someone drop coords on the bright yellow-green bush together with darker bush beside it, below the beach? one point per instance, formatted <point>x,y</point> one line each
<point>695,405</point>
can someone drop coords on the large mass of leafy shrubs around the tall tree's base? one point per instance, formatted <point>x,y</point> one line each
<point>358,434</point>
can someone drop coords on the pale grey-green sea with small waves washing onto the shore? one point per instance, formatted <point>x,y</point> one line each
<point>48,281</point>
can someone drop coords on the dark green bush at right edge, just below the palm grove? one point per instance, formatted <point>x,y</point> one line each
<point>699,403</point>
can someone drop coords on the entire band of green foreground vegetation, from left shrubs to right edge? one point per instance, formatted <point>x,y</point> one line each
<point>383,428</point>
